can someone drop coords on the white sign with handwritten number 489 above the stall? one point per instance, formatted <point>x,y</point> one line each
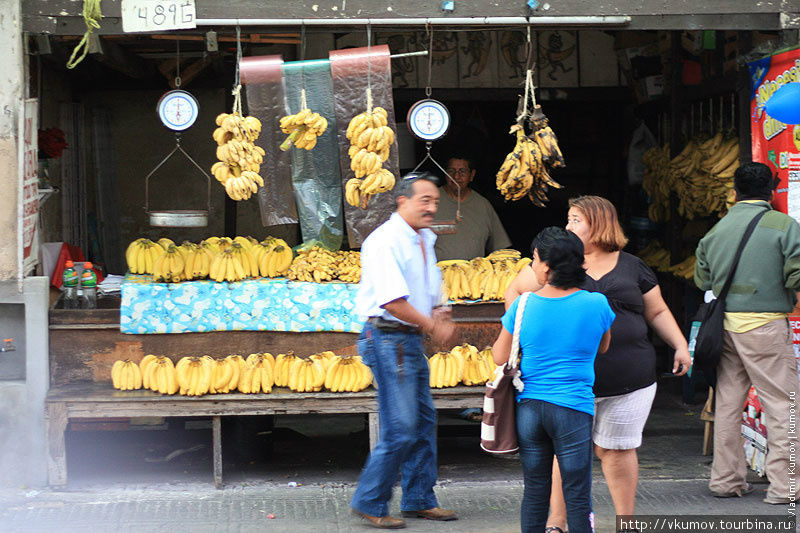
<point>158,15</point>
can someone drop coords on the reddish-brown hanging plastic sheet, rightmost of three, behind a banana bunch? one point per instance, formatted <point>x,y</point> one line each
<point>349,70</point>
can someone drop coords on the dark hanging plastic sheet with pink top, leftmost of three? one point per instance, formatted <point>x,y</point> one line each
<point>263,77</point>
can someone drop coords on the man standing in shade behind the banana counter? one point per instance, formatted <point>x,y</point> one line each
<point>479,232</point>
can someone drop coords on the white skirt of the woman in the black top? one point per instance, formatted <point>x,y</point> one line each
<point>619,420</point>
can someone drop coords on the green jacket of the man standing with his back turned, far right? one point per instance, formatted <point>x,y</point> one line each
<point>769,270</point>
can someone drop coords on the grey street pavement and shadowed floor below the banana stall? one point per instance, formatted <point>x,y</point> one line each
<point>160,481</point>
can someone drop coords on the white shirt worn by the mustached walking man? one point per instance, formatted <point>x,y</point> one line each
<point>392,267</point>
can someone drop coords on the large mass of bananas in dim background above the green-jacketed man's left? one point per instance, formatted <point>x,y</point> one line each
<point>701,176</point>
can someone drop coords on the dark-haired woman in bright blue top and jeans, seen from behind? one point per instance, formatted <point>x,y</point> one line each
<point>563,328</point>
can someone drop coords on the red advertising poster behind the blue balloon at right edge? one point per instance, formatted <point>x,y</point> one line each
<point>774,143</point>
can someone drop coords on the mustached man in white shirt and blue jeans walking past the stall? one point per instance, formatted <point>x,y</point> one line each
<point>400,287</point>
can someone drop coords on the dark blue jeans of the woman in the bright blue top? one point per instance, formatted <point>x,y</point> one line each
<point>543,429</point>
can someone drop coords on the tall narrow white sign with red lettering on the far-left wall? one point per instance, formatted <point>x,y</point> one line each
<point>29,215</point>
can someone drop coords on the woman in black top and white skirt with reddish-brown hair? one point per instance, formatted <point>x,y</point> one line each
<point>625,375</point>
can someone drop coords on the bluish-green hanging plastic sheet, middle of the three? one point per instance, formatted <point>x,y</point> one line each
<point>315,173</point>
